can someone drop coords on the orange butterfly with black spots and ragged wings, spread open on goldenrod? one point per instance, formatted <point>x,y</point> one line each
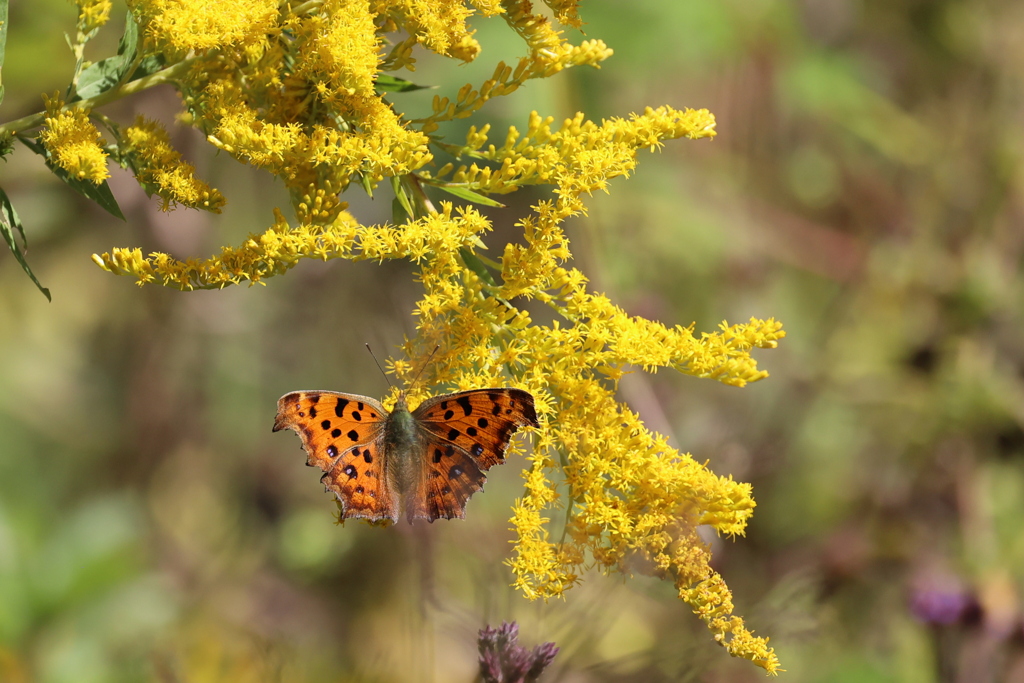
<point>428,462</point>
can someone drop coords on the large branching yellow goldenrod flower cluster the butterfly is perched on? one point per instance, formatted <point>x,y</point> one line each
<point>291,88</point>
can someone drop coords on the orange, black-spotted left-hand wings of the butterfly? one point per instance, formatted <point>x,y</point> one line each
<point>344,435</point>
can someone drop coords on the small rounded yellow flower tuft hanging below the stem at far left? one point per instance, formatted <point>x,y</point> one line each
<point>74,143</point>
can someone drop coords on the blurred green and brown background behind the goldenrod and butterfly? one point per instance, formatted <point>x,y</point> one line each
<point>865,189</point>
